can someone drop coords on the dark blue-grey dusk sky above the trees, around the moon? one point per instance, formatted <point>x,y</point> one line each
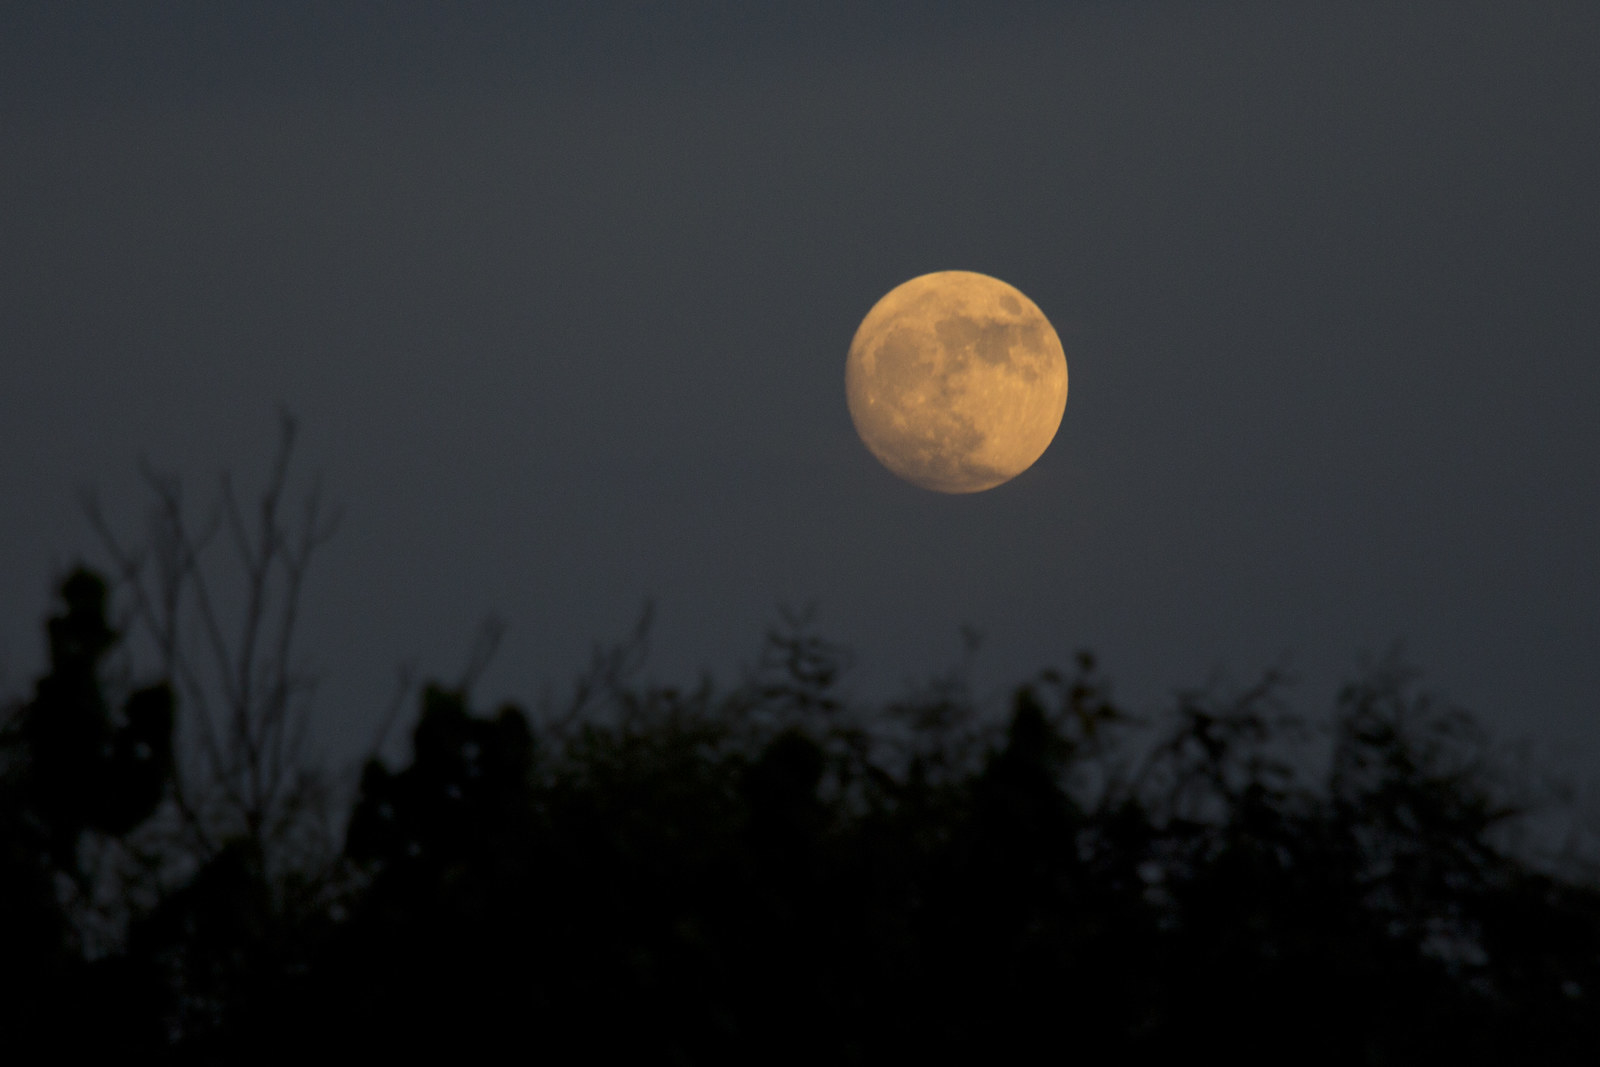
<point>562,305</point>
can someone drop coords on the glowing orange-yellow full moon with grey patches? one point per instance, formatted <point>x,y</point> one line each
<point>956,382</point>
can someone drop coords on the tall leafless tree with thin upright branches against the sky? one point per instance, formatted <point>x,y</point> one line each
<point>220,599</point>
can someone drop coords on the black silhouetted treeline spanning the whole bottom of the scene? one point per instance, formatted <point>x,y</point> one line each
<point>769,874</point>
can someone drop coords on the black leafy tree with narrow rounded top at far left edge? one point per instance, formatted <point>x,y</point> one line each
<point>76,780</point>
